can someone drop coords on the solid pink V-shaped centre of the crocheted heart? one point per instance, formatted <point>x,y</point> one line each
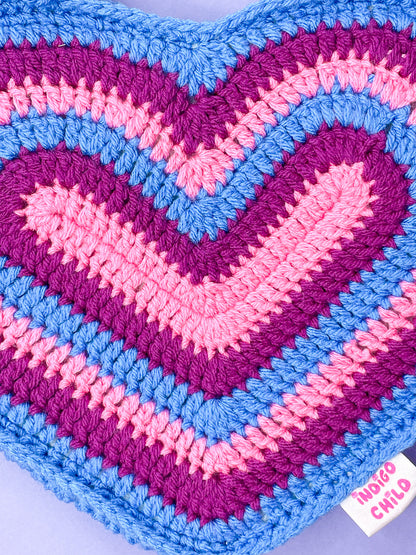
<point>211,315</point>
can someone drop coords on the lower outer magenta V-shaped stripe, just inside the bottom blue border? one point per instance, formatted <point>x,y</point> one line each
<point>222,495</point>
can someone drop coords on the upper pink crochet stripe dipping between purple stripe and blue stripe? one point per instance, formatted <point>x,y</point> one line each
<point>207,166</point>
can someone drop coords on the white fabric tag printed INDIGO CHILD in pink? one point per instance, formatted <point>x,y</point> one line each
<point>386,494</point>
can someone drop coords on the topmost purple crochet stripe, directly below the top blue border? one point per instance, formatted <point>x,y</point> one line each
<point>211,110</point>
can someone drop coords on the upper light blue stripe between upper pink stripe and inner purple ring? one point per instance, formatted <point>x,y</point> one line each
<point>205,214</point>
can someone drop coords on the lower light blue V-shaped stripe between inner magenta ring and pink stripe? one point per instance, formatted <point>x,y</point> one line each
<point>217,418</point>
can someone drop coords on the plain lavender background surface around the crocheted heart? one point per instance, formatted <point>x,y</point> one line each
<point>34,522</point>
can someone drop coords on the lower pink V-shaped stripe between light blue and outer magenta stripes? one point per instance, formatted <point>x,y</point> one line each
<point>222,457</point>
